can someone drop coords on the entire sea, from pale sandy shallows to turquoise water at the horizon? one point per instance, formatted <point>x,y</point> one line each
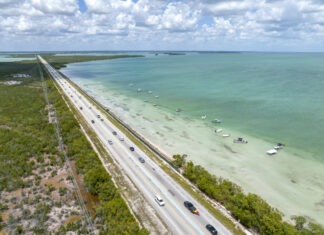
<point>266,98</point>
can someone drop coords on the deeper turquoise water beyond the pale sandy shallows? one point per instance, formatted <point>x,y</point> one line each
<point>275,97</point>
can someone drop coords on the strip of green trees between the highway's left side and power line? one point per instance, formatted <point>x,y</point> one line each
<point>112,213</point>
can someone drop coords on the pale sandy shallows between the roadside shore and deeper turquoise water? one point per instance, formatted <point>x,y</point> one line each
<point>277,179</point>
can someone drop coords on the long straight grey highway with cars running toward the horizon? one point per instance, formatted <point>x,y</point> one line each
<point>148,177</point>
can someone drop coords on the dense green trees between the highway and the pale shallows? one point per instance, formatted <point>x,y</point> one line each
<point>250,209</point>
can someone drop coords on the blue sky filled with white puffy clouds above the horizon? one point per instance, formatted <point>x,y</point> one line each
<point>212,25</point>
